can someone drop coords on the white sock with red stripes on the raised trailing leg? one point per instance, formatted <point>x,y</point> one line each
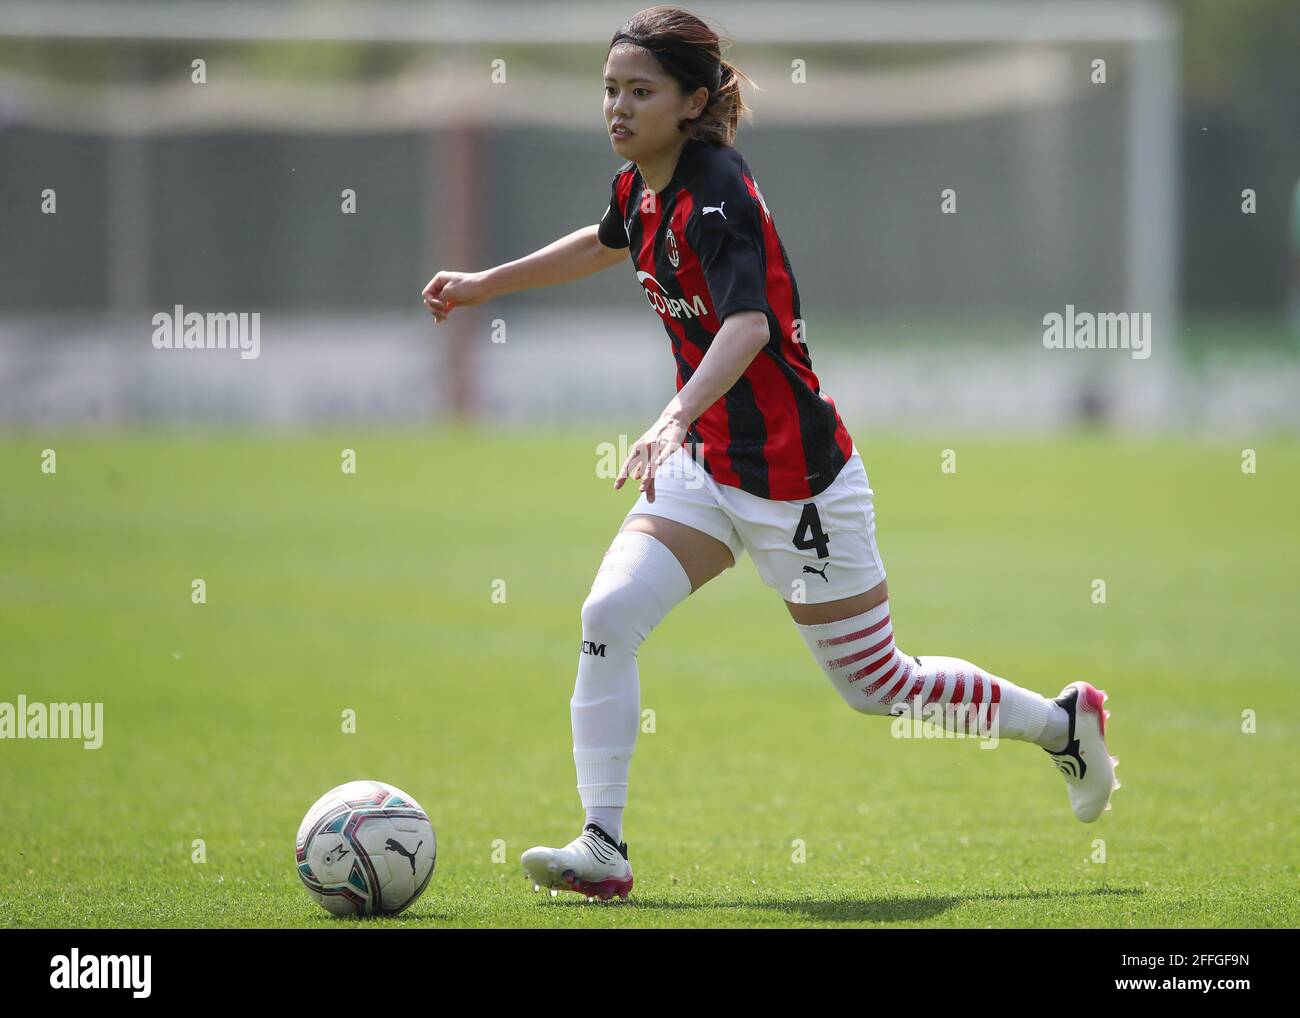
<point>874,677</point>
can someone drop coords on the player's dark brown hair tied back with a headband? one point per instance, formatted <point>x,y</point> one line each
<point>691,54</point>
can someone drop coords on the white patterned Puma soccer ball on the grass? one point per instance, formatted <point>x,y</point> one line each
<point>366,848</point>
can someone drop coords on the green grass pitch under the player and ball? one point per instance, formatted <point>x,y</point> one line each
<point>374,592</point>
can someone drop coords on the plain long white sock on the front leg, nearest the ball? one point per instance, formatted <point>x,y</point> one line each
<point>639,583</point>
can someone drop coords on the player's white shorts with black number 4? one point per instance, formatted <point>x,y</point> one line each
<point>808,551</point>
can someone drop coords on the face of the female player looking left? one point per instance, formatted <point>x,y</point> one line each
<point>640,97</point>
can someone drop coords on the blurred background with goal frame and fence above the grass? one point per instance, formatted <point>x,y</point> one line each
<point>318,163</point>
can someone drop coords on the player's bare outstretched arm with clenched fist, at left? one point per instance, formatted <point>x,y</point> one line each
<point>571,258</point>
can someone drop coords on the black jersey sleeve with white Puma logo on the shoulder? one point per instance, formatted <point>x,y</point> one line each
<point>727,237</point>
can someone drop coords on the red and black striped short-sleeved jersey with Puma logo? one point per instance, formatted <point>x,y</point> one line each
<point>703,249</point>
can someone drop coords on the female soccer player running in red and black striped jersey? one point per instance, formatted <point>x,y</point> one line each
<point>770,470</point>
